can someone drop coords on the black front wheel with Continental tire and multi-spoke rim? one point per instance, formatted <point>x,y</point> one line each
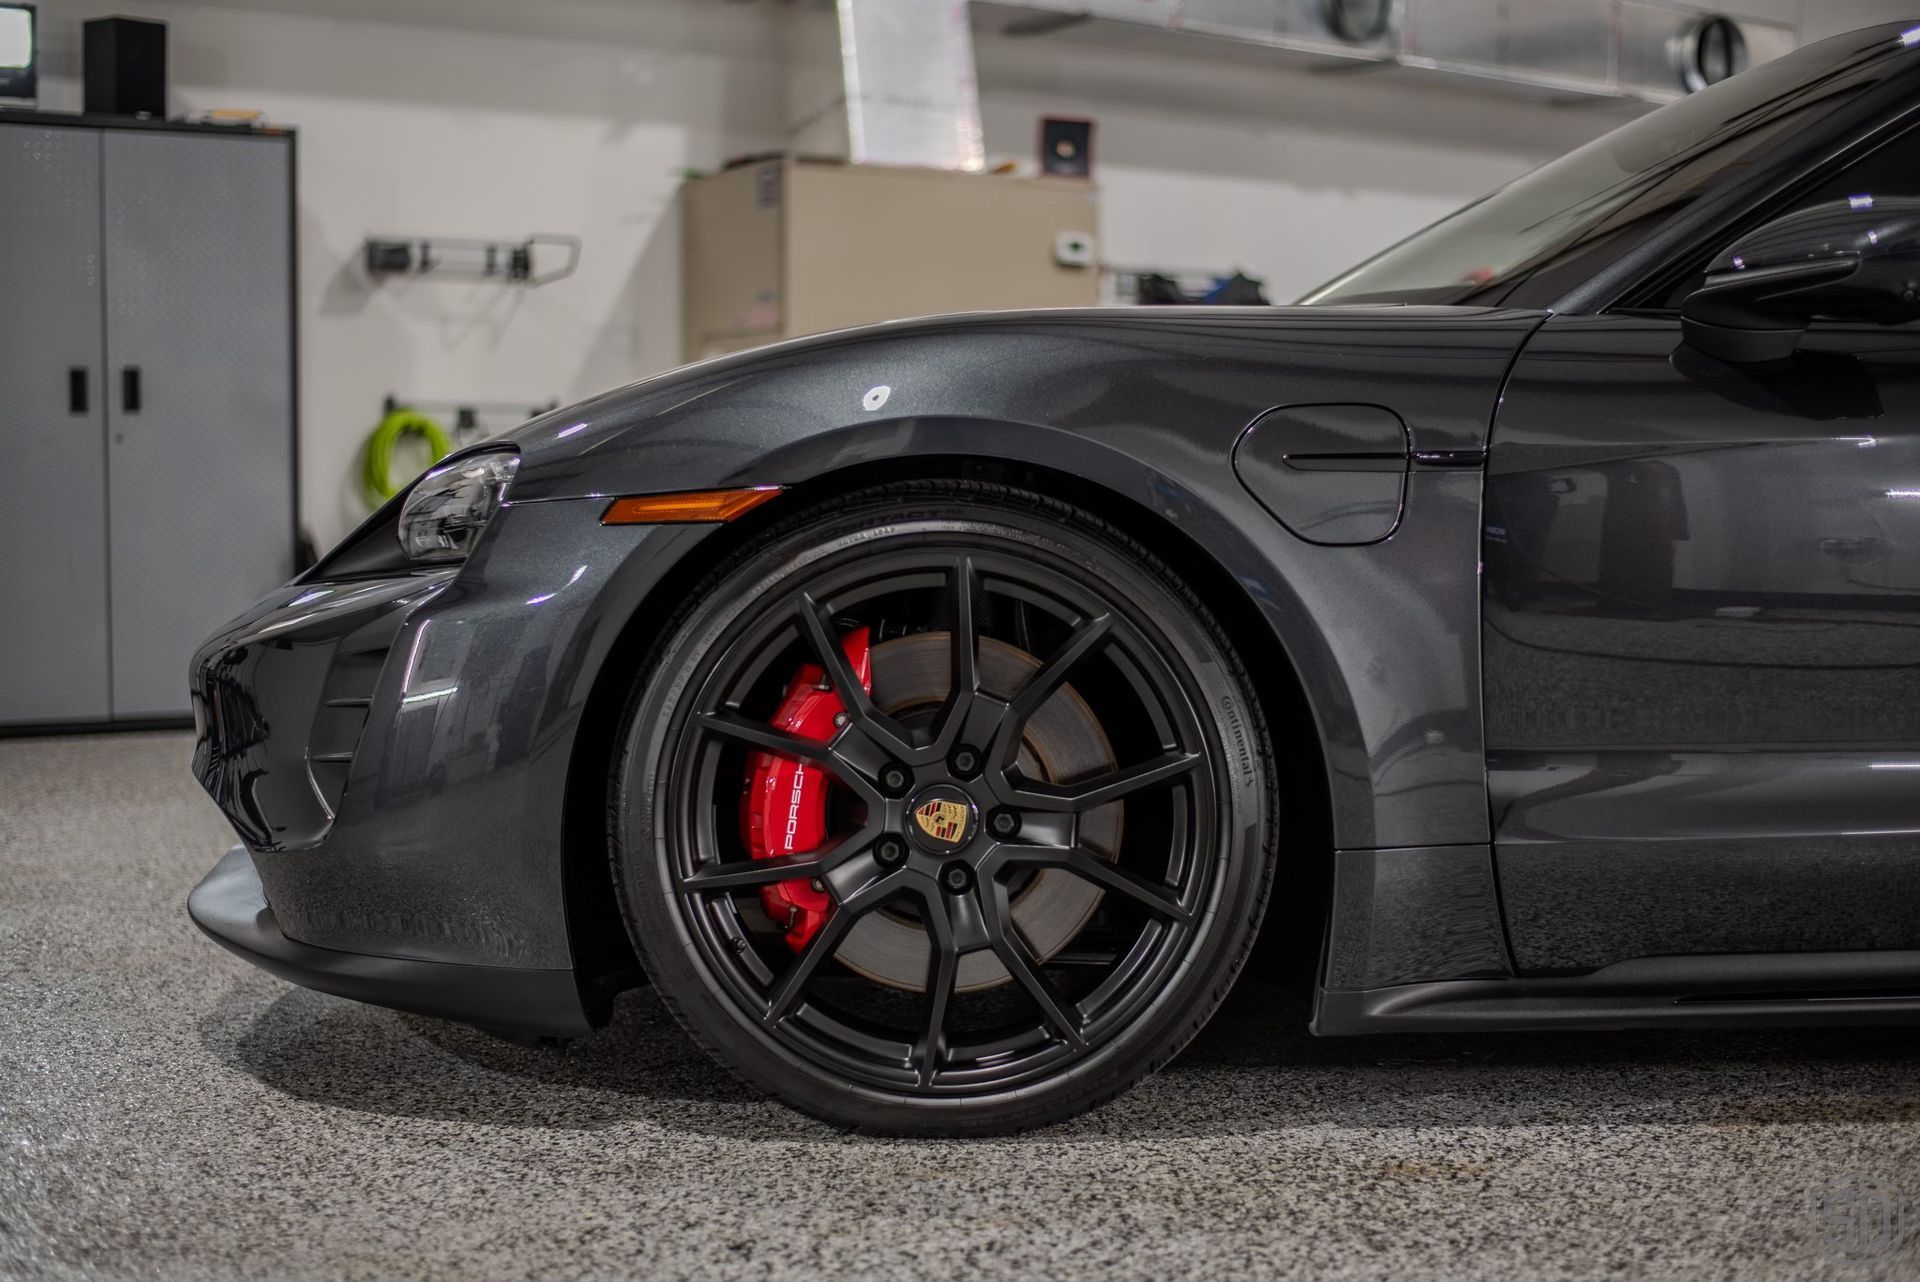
<point>821,1041</point>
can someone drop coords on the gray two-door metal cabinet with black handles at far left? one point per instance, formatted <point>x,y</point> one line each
<point>147,408</point>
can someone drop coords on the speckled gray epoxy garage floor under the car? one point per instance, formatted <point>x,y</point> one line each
<point>166,1112</point>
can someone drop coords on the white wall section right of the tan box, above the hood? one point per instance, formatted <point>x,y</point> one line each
<point>1287,176</point>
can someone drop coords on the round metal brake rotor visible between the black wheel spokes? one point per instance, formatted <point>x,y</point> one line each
<point>1063,744</point>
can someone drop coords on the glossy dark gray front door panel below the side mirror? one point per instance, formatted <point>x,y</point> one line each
<point>1704,646</point>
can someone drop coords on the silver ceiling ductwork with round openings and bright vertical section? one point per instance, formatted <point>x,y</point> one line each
<point>892,82</point>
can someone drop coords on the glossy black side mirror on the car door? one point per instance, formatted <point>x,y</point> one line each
<point>1852,260</point>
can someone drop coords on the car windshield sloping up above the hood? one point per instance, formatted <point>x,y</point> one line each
<point>1618,191</point>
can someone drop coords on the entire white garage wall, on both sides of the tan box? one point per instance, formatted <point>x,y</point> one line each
<point>500,118</point>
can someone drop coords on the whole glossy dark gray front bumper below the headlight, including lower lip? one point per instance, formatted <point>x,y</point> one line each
<point>396,755</point>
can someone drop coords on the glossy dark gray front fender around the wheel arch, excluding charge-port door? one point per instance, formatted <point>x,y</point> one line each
<point>1149,408</point>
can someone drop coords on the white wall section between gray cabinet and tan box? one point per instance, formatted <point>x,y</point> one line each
<point>469,118</point>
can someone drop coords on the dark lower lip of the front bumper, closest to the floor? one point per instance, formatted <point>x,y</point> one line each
<point>231,907</point>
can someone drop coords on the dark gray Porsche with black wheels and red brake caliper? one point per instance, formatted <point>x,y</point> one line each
<point>932,711</point>
